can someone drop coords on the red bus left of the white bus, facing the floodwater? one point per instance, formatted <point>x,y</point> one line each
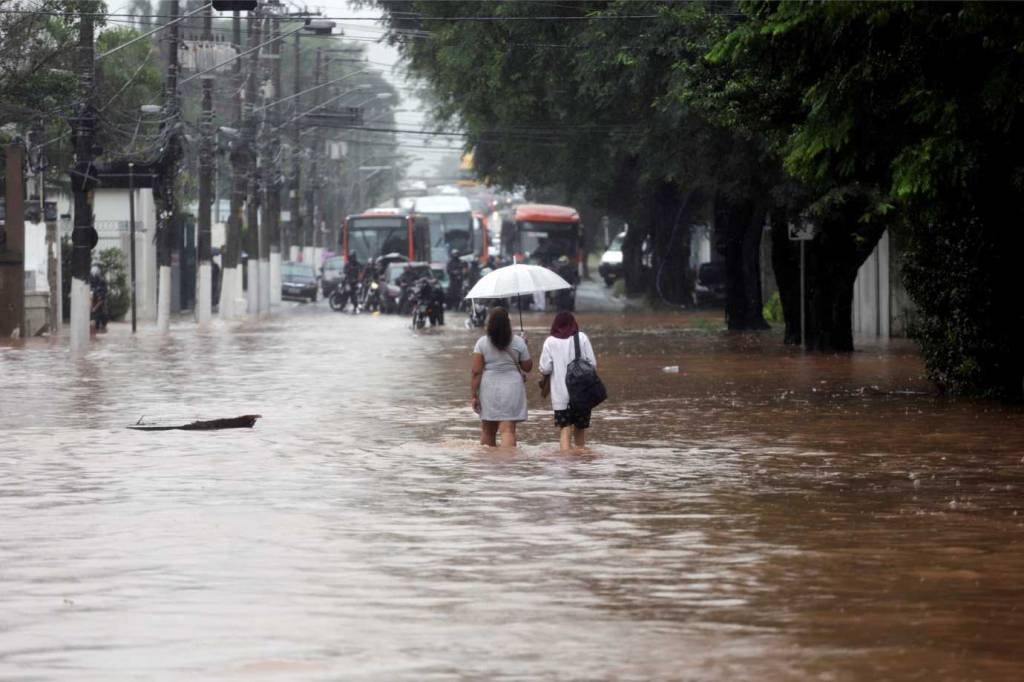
<point>380,232</point>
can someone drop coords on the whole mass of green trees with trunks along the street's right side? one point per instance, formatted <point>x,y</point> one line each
<point>852,118</point>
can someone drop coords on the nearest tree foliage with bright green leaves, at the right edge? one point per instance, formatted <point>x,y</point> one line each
<point>909,118</point>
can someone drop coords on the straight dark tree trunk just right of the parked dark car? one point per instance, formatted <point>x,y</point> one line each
<point>738,232</point>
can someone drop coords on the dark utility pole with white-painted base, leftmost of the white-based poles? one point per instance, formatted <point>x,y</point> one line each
<point>83,182</point>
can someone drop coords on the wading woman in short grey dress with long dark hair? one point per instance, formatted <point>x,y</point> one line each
<point>501,363</point>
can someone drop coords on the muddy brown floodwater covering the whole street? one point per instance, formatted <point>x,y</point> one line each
<point>759,516</point>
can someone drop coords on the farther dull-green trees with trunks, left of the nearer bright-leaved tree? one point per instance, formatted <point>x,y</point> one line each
<point>584,104</point>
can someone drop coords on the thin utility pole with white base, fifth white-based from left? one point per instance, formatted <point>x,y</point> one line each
<point>250,131</point>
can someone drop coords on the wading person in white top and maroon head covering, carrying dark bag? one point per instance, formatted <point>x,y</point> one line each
<point>559,352</point>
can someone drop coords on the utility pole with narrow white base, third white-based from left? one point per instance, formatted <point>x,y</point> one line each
<point>205,294</point>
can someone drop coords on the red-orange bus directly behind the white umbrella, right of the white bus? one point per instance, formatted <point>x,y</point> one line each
<point>542,233</point>
